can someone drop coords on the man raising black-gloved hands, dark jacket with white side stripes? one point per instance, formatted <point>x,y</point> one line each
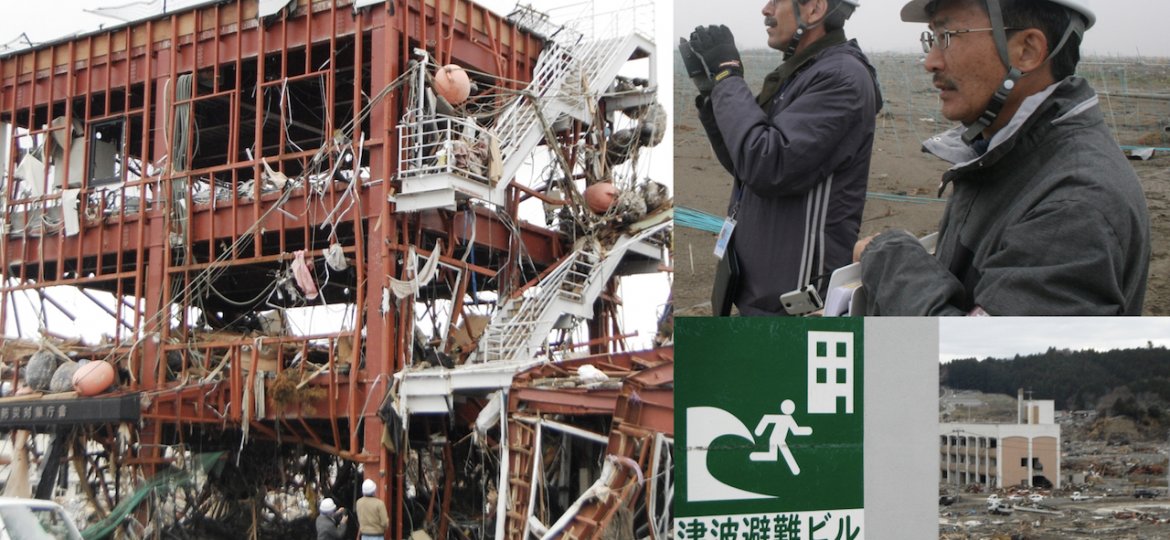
<point>800,153</point>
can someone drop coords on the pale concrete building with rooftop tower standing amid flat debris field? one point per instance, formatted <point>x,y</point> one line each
<point>1026,453</point>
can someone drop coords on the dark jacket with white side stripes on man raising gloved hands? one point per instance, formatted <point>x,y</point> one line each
<point>801,164</point>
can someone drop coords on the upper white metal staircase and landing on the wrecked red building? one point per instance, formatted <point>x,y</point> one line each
<point>570,77</point>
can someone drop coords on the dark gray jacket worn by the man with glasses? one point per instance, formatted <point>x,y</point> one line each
<point>1050,220</point>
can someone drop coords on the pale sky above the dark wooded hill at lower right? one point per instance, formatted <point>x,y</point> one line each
<point>1004,337</point>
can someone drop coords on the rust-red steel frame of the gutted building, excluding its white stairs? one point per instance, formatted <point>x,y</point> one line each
<point>237,141</point>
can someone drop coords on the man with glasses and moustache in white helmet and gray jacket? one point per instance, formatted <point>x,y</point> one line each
<point>1047,217</point>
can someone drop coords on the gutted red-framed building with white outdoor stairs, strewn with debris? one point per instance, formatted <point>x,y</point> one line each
<point>334,241</point>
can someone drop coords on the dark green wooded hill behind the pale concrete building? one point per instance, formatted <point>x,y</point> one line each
<point>1126,383</point>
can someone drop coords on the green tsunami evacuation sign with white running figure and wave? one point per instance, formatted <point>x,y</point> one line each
<point>768,419</point>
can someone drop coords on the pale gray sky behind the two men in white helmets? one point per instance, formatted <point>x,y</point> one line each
<point>1126,29</point>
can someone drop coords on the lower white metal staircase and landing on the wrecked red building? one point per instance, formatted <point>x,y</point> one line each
<point>519,331</point>
